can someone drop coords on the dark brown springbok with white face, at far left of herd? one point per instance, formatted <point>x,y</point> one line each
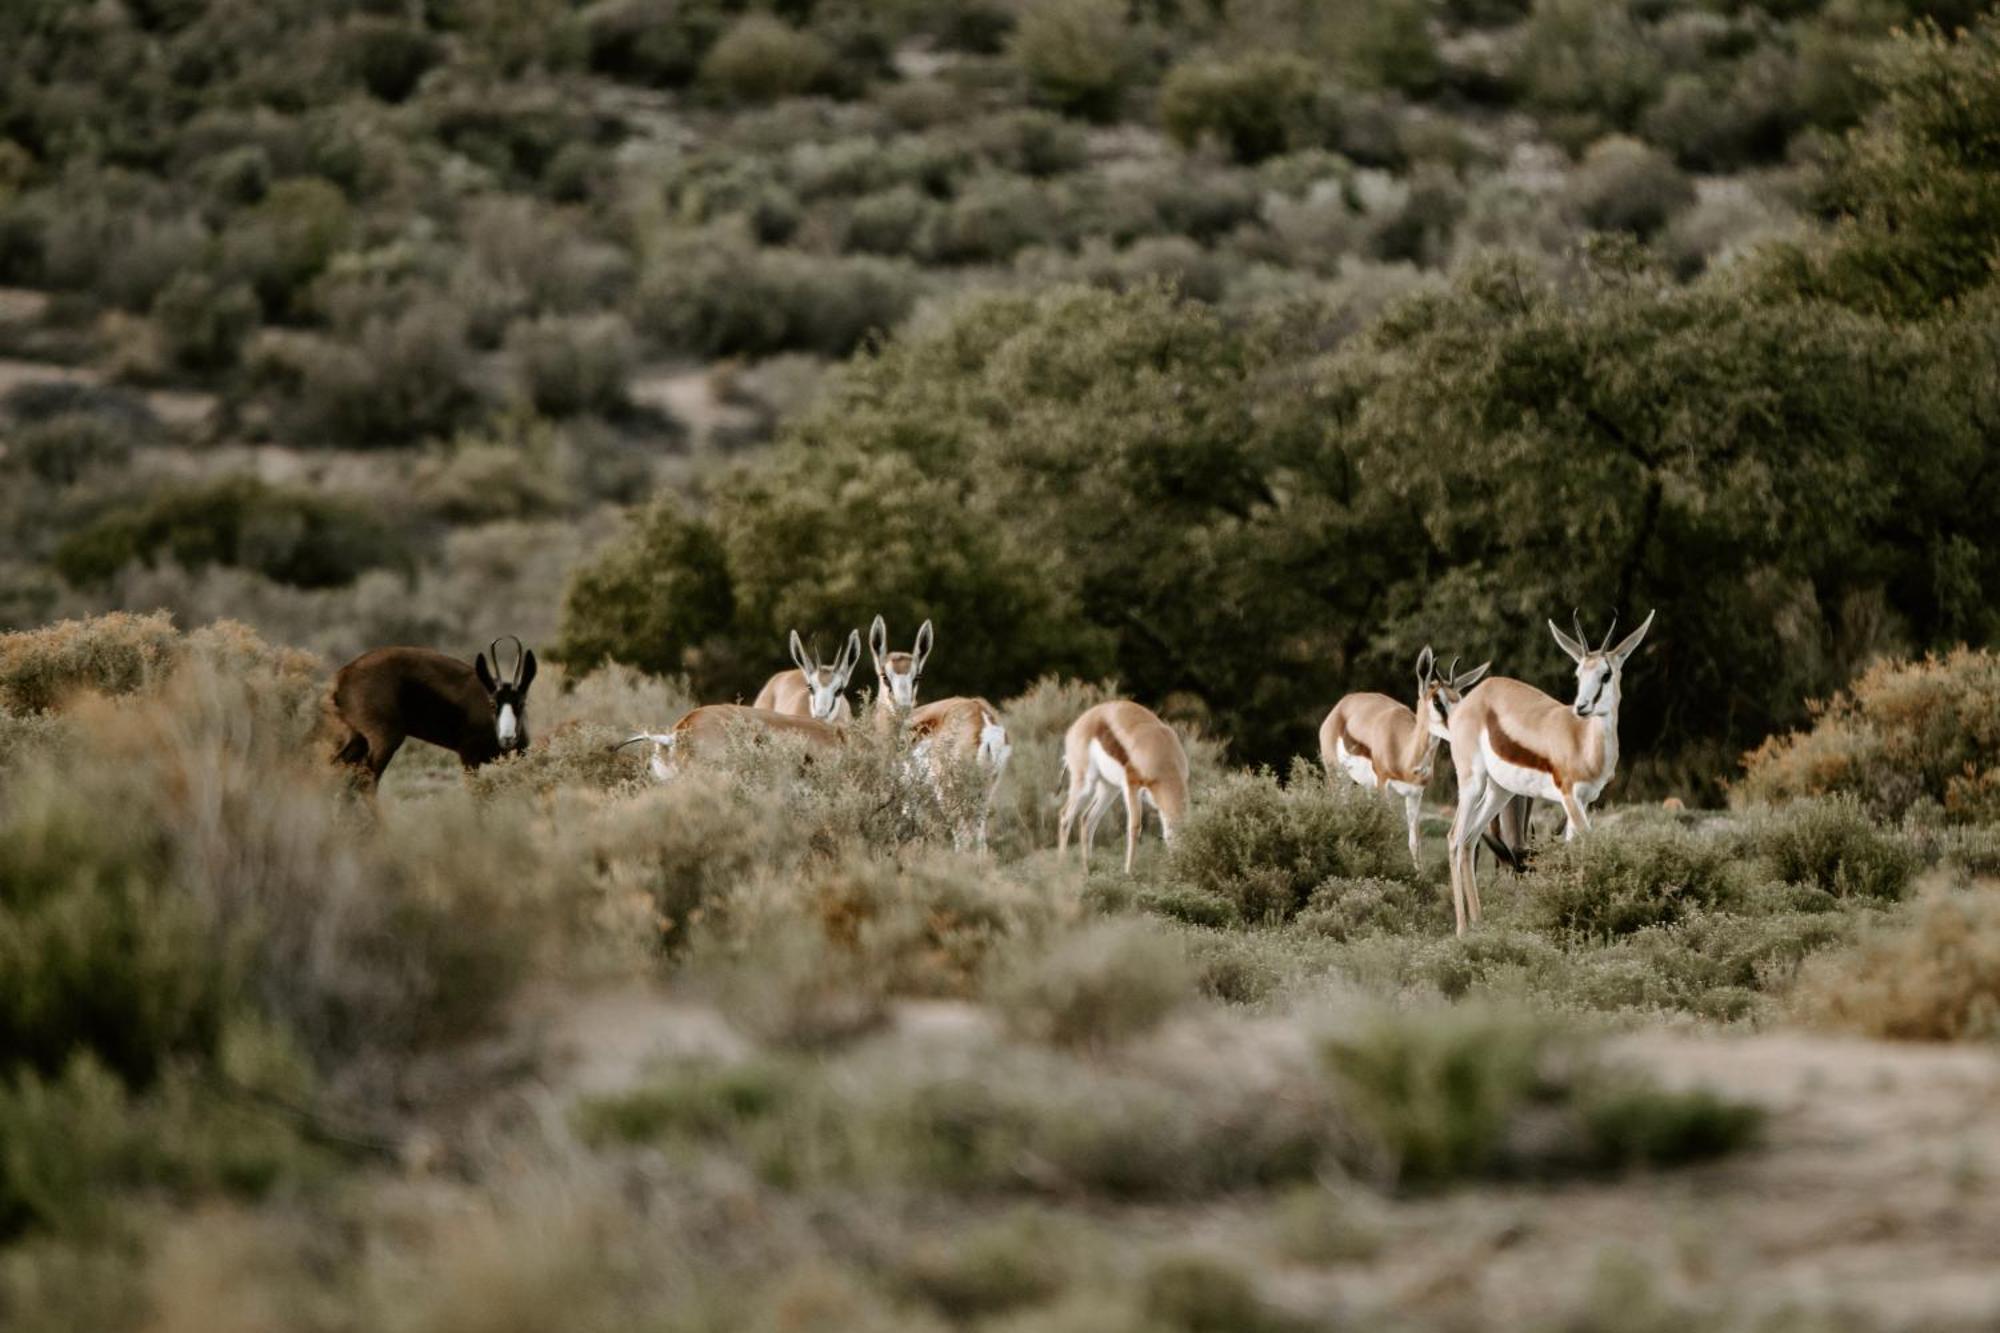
<point>385,698</point>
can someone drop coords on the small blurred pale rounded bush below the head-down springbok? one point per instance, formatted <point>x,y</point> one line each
<point>1099,986</point>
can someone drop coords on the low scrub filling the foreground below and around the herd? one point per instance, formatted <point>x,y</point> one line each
<point>971,1088</point>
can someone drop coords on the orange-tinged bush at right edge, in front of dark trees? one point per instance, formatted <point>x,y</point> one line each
<point>1901,734</point>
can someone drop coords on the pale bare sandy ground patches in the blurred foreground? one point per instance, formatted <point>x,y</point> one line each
<point>1875,1194</point>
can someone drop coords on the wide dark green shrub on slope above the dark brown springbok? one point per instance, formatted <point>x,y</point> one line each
<point>293,537</point>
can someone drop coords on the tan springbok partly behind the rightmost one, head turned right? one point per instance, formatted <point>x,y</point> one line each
<point>1385,746</point>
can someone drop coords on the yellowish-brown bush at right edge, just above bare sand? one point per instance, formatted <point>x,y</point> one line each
<point>1933,978</point>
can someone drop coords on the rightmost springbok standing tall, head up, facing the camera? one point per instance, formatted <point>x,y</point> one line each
<point>1511,740</point>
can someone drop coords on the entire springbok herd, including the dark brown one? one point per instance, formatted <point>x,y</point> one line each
<point>1511,744</point>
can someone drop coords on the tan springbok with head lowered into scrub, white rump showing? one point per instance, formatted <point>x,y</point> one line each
<point>1125,750</point>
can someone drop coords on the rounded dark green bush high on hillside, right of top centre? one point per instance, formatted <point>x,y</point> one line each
<point>1257,107</point>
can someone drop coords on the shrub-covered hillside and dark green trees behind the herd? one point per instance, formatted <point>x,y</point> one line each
<point>1365,325</point>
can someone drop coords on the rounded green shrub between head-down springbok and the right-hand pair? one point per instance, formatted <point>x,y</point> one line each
<point>1267,848</point>
